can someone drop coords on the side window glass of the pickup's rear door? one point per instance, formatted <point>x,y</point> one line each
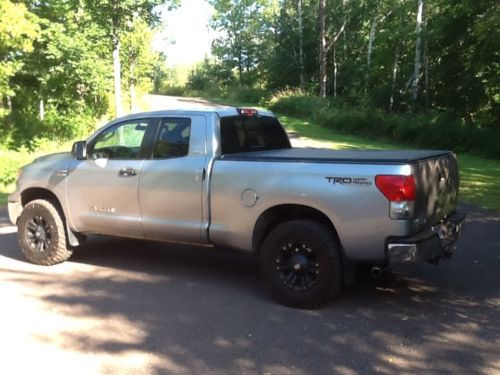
<point>173,138</point>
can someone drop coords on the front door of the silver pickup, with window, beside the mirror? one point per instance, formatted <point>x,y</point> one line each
<point>102,190</point>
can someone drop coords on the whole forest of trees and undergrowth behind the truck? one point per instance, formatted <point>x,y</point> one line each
<point>413,73</point>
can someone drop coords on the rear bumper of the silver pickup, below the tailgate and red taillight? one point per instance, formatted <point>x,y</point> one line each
<point>431,244</point>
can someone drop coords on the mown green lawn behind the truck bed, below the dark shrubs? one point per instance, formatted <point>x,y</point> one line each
<point>479,177</point>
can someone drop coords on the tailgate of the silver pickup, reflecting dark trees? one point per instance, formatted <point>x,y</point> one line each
<point>437,182</point>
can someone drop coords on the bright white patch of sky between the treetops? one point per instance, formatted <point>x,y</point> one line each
<point>186,38</point>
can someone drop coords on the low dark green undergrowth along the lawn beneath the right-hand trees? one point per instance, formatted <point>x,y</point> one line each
<point>430,129</point>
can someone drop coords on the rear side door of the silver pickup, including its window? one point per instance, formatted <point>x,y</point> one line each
<point>172,181</point>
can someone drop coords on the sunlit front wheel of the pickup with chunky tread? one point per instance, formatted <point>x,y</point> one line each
<point>41,234</point>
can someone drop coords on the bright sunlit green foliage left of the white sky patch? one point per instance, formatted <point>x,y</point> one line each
<point>56,64</point>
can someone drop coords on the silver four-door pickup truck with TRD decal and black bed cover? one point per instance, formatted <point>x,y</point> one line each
<point>229,177</point>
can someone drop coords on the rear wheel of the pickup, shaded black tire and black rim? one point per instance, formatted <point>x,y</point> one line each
<point>301,262</point>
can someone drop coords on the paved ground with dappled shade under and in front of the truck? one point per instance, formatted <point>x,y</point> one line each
<point>135,307</point>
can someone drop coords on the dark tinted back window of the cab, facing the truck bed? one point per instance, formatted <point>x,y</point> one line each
<point>251,133</point>
